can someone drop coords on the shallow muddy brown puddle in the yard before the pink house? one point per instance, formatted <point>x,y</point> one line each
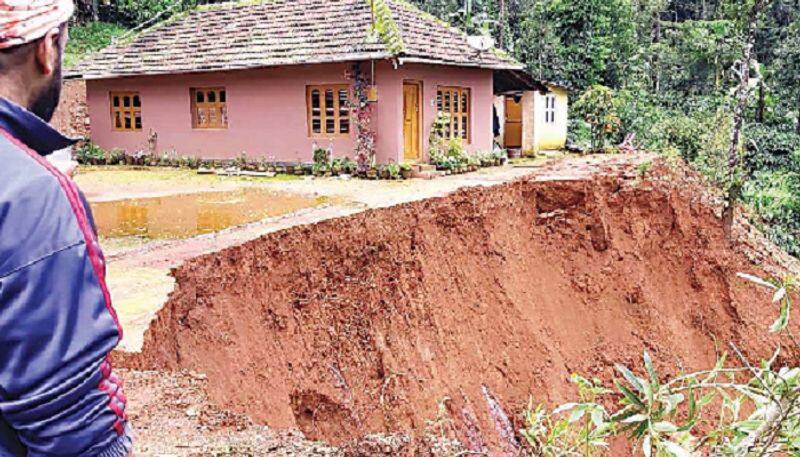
<point>188,215</point>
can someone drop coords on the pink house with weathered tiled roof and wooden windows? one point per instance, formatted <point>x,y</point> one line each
<point>273,78</point>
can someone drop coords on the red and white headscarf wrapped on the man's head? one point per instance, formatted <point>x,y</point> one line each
<point>23,21</point>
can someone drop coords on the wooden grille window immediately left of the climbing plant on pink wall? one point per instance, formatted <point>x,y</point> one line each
<point>328,110</point>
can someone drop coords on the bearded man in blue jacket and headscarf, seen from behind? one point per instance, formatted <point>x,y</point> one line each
<point>58,395</point>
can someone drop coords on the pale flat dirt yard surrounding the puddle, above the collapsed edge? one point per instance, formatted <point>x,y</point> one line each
<point>139,279</point>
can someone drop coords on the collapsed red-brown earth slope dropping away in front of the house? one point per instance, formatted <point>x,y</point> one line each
<point>474,301</point>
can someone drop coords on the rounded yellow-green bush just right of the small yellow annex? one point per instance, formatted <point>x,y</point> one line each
<point>598,106</point>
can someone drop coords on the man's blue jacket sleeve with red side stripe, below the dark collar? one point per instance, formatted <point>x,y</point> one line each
<point>58,392</point>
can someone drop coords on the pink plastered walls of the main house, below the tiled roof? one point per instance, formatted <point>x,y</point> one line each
<point>267,110</point>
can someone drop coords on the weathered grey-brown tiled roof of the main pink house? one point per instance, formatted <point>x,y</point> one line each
<point>264,33</point>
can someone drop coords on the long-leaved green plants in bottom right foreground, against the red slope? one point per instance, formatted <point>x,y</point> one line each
<point>741,410</point>
